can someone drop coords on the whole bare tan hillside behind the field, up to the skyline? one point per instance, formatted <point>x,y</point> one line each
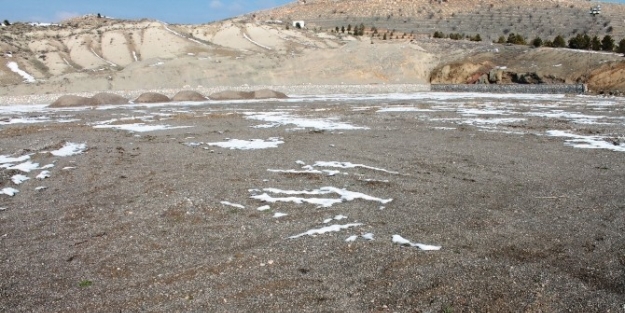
<point>92,53</point>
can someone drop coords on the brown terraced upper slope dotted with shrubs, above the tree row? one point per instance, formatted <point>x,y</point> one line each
<point>489,18</point>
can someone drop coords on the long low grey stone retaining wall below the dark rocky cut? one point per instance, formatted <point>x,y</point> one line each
<point>521,88</point>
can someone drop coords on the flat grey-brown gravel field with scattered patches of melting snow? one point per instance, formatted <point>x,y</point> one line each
<point>526,215</point>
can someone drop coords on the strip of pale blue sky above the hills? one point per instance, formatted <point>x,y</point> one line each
<point>171,11</point>
